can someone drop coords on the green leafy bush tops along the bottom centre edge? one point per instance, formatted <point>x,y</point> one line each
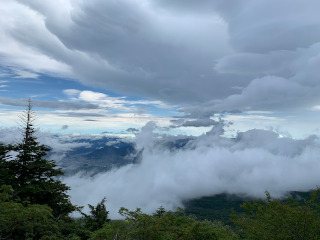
<point>161,225</point>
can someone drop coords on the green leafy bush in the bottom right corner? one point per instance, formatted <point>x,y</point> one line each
<point>275,219</point>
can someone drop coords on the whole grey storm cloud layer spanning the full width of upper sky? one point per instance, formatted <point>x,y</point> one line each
<point>213,55</point>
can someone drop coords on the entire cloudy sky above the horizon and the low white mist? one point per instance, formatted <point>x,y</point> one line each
<point>93,66</point>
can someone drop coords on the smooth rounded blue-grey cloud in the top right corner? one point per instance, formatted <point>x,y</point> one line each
<point>262,27</point>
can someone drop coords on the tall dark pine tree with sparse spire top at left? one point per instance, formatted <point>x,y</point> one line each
<point>35,178</point>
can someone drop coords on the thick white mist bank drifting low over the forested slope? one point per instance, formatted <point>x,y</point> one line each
<point>247,165</point>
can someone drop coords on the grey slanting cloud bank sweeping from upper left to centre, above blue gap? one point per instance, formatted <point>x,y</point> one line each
<point>117,50</point>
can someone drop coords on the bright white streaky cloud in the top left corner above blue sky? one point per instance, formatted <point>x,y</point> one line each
<point>19,44</point>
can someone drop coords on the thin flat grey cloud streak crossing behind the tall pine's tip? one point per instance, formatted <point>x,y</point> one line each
<point>48,104</point>
